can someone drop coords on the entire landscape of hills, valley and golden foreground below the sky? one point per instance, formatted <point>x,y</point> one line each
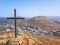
<point>38,30</point>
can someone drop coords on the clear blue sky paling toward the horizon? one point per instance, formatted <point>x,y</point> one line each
<point>29,8</point>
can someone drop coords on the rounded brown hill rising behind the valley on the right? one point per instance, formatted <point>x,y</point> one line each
<point>42,23</point>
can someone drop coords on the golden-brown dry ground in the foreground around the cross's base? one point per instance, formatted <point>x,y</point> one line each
<point>28,39</point>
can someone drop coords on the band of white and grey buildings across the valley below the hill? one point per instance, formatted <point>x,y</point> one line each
<point>28,29</point>
